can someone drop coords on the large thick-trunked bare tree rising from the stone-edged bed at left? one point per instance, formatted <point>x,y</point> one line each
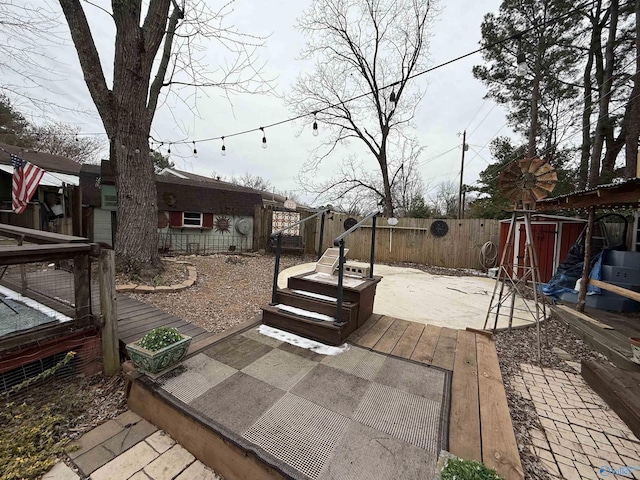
<point>154,48</point>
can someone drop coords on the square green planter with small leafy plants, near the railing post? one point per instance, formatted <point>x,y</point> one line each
<point>159,351</point>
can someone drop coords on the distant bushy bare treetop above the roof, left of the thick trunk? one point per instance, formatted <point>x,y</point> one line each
<point>62,139</point>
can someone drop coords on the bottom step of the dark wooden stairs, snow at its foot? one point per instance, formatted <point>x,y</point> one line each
<point>324,332</point>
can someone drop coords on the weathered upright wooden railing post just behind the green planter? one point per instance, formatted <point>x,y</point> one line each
<point>106,277</point>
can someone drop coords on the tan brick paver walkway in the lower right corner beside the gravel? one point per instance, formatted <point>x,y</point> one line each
<point>582,438</point>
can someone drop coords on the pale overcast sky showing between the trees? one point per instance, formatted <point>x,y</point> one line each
<point>453,101</point>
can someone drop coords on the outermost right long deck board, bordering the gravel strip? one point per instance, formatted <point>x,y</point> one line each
<point>499,448</point>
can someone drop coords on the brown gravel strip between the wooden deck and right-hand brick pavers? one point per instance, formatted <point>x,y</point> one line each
<point>520,346</point>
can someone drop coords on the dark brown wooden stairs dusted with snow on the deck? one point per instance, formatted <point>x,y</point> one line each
<point>308,305</point>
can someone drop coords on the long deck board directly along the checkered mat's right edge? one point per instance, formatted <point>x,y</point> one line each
<point>464,423</point>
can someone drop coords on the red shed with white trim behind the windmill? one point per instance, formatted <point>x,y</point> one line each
<point>553,236</point>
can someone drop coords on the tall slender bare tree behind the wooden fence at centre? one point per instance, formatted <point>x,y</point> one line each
<point>360,47</point>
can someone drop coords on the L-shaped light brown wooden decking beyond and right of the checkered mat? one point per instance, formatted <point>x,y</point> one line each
<point>480,425</point>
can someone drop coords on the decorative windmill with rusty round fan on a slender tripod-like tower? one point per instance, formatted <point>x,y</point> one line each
<point>525,182</point>
